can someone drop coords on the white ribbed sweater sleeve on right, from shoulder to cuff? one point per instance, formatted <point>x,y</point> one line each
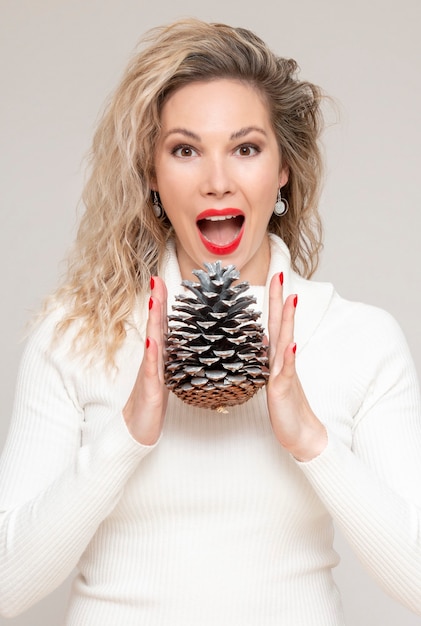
<point>373,489</point>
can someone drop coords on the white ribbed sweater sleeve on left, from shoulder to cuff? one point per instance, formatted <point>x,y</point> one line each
<point>54,492</point>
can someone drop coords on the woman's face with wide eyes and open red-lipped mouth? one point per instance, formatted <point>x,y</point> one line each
<point>218,170</point>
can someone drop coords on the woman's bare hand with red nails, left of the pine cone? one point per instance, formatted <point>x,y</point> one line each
<point>145,409</point>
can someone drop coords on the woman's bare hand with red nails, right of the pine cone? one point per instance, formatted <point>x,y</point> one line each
<point>295,425</point>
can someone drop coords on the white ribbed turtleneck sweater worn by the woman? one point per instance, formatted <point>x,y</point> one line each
<point>216,524</point>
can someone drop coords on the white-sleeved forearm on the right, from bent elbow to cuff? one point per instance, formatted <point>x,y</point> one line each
<point>383,528</point>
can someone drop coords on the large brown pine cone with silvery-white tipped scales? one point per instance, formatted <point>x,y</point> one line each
<point>216,357</point>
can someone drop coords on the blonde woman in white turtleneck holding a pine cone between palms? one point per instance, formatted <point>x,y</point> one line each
<point>180,515</point>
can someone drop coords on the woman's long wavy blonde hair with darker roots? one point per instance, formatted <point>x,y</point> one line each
<point>120,242</point>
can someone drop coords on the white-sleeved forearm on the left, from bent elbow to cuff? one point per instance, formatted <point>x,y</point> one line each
<point>42,540</point>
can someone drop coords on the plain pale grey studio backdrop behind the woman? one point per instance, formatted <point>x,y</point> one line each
<point>59,61</point>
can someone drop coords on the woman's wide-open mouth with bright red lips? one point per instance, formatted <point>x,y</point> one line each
<point>221,231</point>
